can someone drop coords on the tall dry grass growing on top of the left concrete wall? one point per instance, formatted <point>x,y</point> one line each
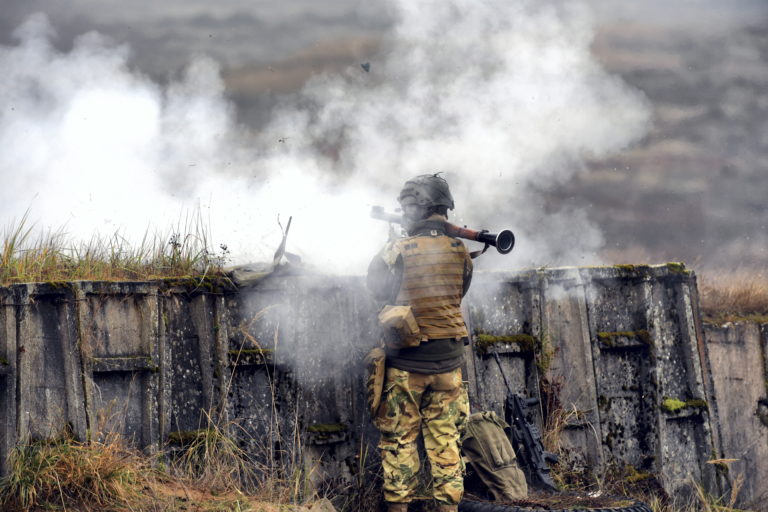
<point>29,255</point>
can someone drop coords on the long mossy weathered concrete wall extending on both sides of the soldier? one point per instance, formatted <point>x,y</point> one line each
<point>279,363</point>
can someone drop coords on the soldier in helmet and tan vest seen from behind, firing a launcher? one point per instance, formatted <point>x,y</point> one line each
<point>429,272</point>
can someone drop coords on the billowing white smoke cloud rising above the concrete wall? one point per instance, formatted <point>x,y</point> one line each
<point>504,97</point>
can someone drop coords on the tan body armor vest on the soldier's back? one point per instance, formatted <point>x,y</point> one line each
<point>433,281</point>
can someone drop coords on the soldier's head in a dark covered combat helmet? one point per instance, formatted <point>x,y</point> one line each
<point>424,196</point>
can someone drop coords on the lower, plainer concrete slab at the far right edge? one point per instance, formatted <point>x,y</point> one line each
<point>737,355</point>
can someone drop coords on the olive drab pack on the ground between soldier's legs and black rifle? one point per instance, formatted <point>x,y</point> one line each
<point>486,447</point>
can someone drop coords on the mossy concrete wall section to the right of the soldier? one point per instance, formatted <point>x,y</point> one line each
<point>616,342</point>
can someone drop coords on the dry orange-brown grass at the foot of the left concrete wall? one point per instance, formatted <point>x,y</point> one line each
<point>210,474</point>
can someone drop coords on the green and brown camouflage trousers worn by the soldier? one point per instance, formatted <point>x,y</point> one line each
<point>435,406</point>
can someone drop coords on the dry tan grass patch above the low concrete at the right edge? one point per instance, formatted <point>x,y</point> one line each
<point>735,296</point>
